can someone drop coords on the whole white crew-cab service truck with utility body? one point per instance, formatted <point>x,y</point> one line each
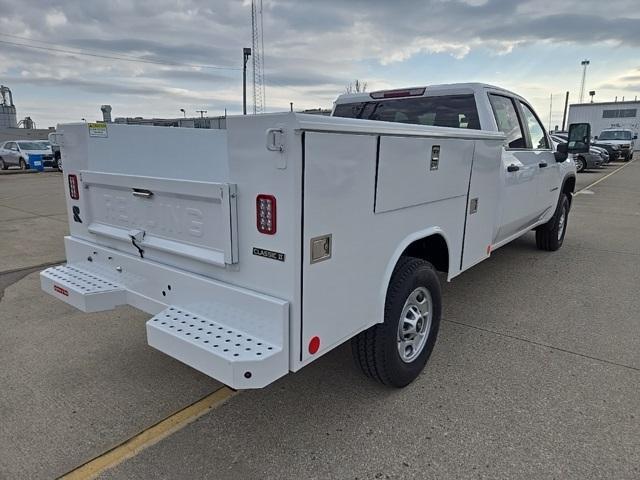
<point>259,248</point>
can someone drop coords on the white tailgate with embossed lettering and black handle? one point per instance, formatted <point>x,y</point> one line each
<point>159,218</point>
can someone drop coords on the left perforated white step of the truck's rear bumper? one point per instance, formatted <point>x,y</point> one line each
<point>83,289</point>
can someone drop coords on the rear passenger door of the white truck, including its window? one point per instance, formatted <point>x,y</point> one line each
<point>520,205</point>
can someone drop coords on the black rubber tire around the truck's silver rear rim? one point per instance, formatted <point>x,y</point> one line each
<point>376,350</point>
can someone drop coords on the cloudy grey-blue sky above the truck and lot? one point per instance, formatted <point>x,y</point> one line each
<point>188,53</point>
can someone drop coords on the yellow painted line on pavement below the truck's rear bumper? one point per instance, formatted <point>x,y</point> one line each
<point>150,436</point>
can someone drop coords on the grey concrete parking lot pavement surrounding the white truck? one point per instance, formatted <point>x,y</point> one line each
<point>535,375</point>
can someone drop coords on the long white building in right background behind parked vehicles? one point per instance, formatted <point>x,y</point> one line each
<point>603,115</point>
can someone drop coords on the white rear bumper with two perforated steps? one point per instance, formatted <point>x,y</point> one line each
<point>235,335</point>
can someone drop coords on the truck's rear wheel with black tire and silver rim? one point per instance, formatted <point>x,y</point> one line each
<point>396,351</point>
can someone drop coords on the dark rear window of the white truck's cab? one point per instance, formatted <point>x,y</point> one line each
<point>457,111</point>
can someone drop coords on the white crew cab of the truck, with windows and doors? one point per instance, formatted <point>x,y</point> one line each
<point>530,179</point>
